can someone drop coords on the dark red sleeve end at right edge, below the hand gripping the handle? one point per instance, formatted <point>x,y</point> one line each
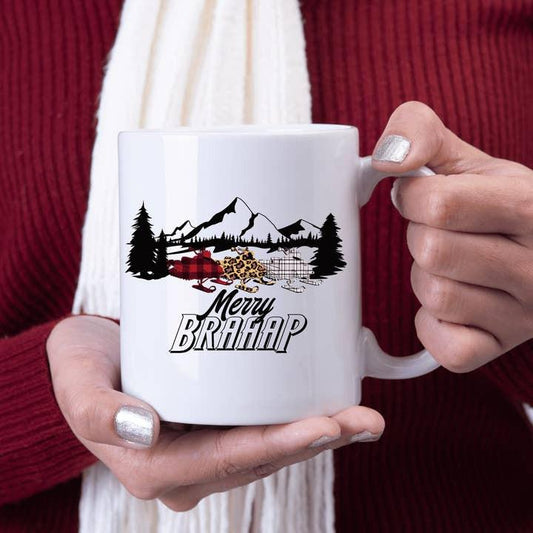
<point>513,373</point>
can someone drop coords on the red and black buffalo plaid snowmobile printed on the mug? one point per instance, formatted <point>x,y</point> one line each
<point>201,267</point>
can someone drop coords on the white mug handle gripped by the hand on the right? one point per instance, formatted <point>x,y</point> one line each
<point>379,364</point>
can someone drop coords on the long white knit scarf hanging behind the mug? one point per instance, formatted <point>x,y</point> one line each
<point>195,63</point>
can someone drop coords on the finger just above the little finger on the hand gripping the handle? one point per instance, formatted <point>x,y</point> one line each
<point>488,309</point>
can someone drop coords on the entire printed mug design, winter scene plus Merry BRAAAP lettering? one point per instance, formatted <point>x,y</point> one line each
<point>244,249</point>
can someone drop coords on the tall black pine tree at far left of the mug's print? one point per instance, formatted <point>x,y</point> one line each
<point>142,252</point>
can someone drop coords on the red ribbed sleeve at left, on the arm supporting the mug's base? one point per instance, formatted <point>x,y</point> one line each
<point>37,448</point>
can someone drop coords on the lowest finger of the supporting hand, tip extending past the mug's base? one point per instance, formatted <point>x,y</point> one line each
<point>355,422</point>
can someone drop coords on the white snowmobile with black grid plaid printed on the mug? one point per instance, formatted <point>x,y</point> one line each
<point>291,269</point>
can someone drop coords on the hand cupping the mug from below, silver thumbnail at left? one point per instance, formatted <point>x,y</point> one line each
<point>179,467</point>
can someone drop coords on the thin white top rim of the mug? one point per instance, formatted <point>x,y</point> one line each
<point>248,129</point>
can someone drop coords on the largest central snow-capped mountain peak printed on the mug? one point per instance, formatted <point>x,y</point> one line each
<point>236,219</point>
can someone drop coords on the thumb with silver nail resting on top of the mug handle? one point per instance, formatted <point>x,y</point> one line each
<point>415,136</point>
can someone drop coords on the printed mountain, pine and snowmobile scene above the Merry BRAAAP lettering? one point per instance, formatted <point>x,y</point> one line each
<point>237,245</point>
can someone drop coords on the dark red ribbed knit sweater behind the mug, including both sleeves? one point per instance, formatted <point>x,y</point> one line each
<point>457,452</point>
